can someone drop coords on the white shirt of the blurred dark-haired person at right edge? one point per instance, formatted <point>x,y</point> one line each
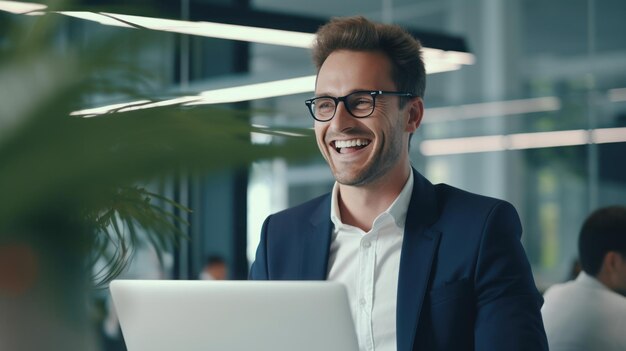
<point>583,314</point>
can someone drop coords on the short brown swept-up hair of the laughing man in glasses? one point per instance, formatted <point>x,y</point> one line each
<point>359,34</point>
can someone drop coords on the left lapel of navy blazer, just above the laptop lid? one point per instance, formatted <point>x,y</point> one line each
<point>316,245</point>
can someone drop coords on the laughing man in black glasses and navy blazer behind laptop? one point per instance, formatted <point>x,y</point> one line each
<point>426,267</point>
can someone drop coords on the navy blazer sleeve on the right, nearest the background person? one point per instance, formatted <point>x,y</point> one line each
<point>508,303</point>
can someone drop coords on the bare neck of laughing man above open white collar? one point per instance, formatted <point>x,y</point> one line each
<point>360,205</point>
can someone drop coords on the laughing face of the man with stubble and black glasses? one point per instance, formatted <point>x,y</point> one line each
<point>383,136</point>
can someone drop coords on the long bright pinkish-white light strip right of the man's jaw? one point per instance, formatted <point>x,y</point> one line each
<point>522,141</point>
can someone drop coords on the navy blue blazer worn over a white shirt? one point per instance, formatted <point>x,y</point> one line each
<point>464,282</point>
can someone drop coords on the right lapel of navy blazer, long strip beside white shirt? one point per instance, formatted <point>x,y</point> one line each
<point>418,251</point>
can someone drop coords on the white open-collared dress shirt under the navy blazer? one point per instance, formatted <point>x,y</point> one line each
<point>368,264</point>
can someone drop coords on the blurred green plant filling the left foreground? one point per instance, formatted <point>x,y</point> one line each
<point>70,185</point>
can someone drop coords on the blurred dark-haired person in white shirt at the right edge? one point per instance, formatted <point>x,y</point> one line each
<point>589,313</point>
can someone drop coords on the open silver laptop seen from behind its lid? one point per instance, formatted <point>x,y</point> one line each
<point>166,315</point>
